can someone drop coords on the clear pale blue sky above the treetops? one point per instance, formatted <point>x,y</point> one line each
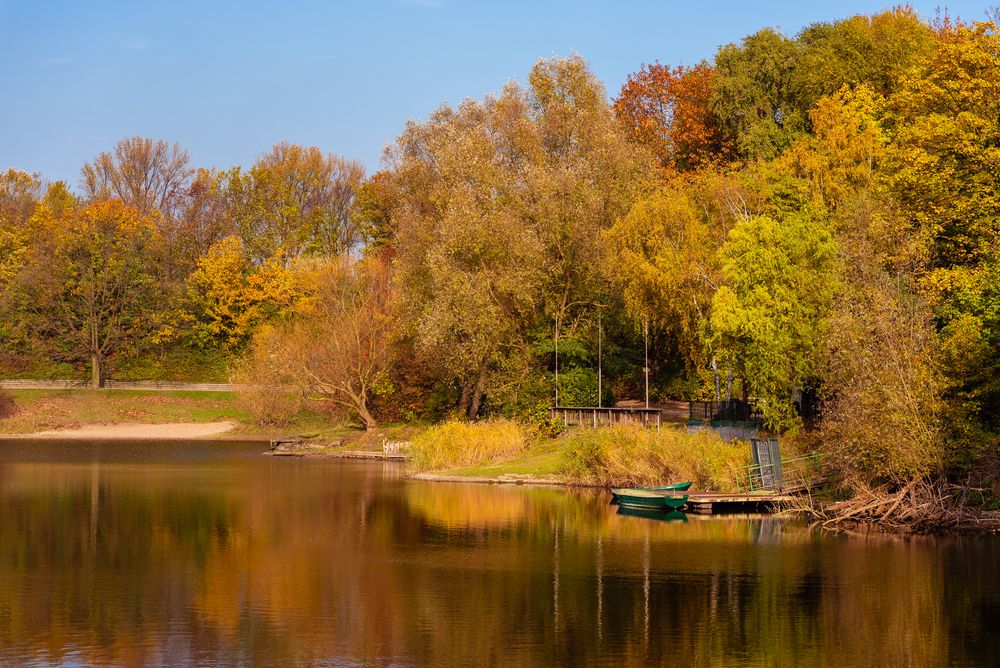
<point>229,78</point>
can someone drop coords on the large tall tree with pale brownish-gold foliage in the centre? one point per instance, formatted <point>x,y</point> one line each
<point>499,212</point>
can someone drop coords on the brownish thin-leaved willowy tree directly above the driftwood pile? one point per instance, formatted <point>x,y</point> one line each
<point>882,386</point>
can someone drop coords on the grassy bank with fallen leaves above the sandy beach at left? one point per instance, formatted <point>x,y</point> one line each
<point>41,410</point>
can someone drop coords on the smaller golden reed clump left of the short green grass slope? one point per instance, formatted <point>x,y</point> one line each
<point>454,444</point>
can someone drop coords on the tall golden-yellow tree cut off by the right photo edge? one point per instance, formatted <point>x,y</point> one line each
<point>942,167</point>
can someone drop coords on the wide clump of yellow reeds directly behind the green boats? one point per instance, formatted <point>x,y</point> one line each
<point>630,455</point>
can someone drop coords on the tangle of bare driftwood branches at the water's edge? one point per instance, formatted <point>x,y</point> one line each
<point>917,506</point>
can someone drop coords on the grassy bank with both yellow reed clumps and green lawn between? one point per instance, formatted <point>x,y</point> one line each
<point>615,456</point>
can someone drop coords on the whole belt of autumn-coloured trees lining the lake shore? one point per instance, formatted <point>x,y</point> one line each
<point>801,216</point>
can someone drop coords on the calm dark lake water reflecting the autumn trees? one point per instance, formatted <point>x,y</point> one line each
<point>210,554</point>
